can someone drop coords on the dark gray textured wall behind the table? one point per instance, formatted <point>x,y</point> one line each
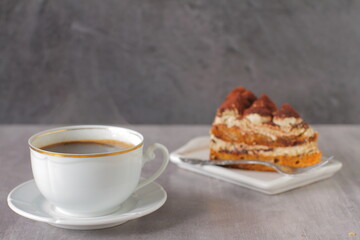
<point>164,61</point>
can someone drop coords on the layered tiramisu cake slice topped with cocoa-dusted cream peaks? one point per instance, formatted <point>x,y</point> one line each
<point>246,127</point>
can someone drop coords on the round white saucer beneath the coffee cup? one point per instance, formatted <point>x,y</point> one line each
<point>27,201</point>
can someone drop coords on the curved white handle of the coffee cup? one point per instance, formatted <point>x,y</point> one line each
<point>150,155</point>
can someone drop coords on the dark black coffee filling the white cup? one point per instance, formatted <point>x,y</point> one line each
<point>88,146</point>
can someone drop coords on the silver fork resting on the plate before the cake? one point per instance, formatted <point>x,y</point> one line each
<point>284,170</point>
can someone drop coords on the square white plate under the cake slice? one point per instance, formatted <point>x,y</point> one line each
<point>266,182</point>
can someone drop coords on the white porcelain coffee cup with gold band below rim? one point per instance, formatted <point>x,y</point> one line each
<point>87,185</point>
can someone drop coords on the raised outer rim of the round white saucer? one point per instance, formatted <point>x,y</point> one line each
<point>86,221</point>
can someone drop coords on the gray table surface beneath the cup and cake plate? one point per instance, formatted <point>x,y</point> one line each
<point>200,207</point>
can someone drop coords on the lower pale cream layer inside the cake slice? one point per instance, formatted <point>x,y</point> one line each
<point>218,144</point>
